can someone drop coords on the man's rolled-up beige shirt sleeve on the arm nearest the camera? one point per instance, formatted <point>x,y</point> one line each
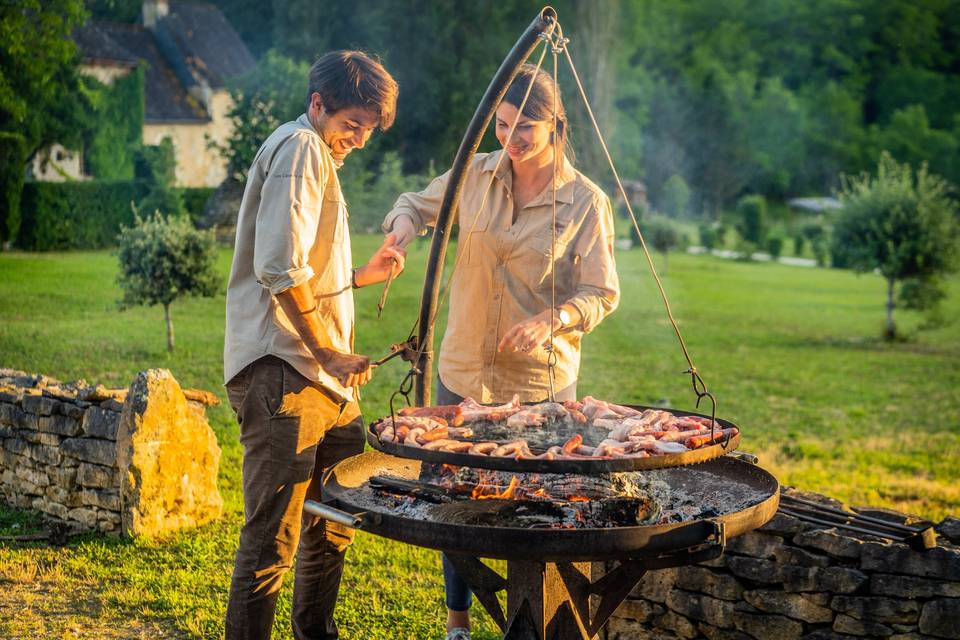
<point>288,216</point>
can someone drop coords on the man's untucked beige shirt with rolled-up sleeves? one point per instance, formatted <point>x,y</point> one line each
<point>292,229</point>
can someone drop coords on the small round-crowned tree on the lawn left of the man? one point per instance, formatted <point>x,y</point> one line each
<point>163,259</point>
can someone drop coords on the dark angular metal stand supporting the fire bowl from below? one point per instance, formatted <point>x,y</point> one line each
<point>549,601</point>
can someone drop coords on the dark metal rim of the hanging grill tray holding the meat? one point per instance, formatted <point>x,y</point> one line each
<point>695,456</point>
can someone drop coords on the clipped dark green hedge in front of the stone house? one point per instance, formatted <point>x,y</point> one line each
<point>76,215</point>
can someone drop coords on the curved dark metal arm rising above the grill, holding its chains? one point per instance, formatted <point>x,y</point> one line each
<point>451,197</point>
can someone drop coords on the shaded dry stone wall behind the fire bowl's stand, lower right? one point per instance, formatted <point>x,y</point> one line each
<point>791,580</point>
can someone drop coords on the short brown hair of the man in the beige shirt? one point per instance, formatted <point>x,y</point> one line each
<point>353,79</point>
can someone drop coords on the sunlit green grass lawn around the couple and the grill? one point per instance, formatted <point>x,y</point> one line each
<point>791,353</point>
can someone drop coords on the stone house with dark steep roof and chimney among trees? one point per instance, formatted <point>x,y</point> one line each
<point>189,52</point>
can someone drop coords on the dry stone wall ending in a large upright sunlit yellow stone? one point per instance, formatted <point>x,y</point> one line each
<point>99,459</point>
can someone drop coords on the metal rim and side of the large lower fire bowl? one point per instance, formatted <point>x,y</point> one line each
<point>346,486</point>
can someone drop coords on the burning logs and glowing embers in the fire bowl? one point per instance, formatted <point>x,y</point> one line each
<point>467,495</point>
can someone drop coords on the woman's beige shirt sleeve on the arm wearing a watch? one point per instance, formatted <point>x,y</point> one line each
<point>598,287</point>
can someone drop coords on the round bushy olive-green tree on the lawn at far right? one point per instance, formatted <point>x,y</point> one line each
<point>901,223</point>
